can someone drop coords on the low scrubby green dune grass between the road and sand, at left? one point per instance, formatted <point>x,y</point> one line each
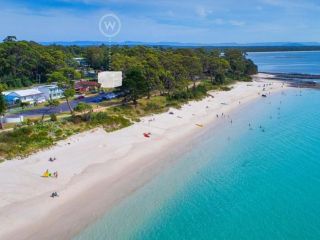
<point>35,135</point>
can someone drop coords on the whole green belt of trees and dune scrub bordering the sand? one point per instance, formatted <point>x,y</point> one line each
<point>154,80</point>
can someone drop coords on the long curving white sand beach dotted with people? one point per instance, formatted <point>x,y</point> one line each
<point>98,169</point>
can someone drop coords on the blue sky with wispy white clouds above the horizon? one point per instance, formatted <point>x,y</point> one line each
<point>186,21</point>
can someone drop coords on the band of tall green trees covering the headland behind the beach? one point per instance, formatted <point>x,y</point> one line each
<point>166,70</point>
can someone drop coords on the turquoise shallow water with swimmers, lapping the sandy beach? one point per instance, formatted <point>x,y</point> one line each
<point>235,182</point>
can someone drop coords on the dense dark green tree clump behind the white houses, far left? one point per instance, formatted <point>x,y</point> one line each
<point>22,62</point>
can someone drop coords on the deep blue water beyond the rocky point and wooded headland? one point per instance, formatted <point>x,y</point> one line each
<point>287,62</point>
